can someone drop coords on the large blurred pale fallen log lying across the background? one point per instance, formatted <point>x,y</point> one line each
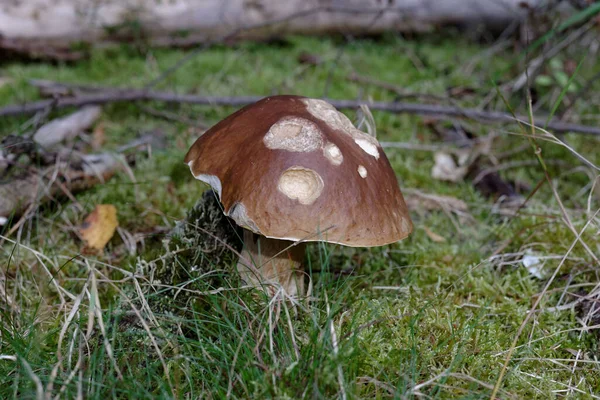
<point>52,27</point>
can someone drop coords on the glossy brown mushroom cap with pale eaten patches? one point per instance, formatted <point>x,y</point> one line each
<point>295,168</point>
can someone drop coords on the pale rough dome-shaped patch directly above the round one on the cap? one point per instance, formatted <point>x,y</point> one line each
<point>294,134</point>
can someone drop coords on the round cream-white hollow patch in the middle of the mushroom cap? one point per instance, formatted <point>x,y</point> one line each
<point>302,184</point>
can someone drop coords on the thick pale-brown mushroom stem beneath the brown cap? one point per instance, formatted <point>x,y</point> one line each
<point>274,262</point>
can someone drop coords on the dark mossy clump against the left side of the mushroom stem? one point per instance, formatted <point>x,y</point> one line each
<point>200,255</point>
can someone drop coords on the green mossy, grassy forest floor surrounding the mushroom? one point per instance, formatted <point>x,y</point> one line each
<point>436,315</point>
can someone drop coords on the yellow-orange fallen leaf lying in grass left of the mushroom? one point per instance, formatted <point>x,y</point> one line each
<point>99,227</point>
